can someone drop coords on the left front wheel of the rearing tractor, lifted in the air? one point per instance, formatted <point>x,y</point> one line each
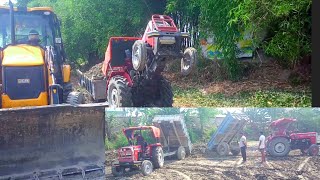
<point>139,55</point>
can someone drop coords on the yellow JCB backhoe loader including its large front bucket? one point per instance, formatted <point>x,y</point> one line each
<point>44,132</point>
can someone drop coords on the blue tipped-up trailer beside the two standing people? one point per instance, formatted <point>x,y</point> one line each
<point>223,140</point>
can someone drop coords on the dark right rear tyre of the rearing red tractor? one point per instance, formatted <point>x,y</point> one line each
<point>166,94</point>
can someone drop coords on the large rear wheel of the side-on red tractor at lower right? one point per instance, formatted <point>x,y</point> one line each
<point>279,147</point>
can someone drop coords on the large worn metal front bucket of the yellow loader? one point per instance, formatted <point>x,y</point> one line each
<point>52,142</point>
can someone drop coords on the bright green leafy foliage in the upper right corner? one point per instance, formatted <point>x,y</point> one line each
<point>287,23</point>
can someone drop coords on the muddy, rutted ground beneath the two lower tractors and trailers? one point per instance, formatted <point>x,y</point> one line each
<point>209,165</point>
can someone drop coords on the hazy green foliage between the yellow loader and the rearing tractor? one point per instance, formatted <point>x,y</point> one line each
<point>88,25</point>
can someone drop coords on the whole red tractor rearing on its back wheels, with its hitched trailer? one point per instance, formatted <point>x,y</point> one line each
<point>132,67</point>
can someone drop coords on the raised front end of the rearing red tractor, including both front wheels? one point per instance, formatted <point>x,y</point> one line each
<point>161,43</point>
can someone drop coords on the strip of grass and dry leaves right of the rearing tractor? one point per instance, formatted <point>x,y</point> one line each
<point>192,97</point>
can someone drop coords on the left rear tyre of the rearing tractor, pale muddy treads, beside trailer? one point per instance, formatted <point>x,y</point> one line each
<point>119,92</point>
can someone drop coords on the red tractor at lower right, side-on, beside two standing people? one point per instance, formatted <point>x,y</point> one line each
<point>284,137</point>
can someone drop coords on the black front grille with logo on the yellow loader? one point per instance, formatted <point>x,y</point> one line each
<point>23,82</point>
